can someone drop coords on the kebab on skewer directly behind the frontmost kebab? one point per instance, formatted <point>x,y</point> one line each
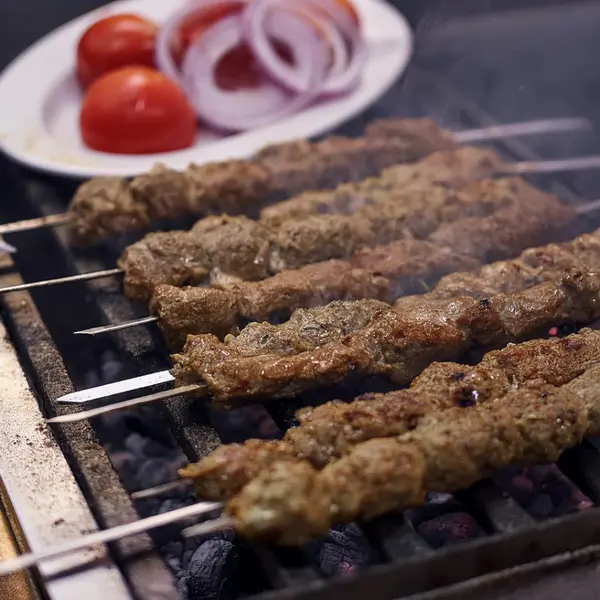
<point>332,431</point>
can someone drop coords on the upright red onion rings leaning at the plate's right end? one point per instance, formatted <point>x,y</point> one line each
<point>261,26</point>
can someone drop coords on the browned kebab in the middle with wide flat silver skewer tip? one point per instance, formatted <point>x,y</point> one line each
<point>325,346</point>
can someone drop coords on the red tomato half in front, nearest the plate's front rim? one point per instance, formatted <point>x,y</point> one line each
<point>136,110</point>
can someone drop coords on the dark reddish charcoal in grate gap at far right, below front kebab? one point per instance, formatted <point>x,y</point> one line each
<point>542,490</point>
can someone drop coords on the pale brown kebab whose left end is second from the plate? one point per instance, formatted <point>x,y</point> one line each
<point>252,251</point>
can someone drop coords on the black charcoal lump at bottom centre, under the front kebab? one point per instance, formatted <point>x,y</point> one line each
<point>345,550</point>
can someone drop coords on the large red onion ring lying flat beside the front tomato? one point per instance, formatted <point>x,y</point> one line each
<point>241,110</point>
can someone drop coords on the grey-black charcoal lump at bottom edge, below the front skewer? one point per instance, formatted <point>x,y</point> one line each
<point>212,571</point>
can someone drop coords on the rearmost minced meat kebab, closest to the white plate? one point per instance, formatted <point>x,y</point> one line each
<point>107,205</point>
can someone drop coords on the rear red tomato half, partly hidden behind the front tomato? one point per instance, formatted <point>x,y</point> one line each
<point>114,42</point>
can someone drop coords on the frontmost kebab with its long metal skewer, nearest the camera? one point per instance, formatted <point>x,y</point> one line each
<point>450,450</point>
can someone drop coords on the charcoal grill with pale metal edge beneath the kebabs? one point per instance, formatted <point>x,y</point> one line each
<point>82,477</point>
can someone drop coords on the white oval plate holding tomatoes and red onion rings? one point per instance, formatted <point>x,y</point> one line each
<point>40,98</point>
